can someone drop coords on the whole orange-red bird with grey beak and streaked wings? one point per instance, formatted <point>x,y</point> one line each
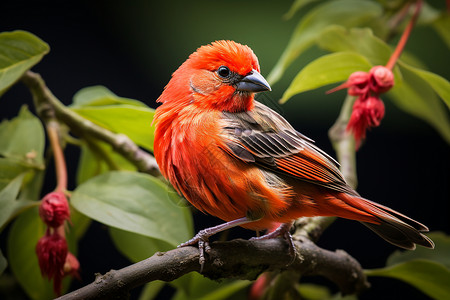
<point>237,159</point>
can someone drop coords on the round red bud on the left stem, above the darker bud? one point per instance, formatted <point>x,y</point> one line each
<point>54,209</point>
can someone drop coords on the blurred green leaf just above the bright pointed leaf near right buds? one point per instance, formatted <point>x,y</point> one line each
<point>359,40</point>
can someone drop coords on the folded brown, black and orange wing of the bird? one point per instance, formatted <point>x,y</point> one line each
<point>265,138</point>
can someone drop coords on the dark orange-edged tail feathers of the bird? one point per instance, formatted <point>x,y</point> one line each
<point>391,225</point>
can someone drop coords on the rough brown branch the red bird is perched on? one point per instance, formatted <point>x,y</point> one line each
<point>234,259</point>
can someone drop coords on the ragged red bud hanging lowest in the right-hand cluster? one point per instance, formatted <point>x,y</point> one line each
<point>367,112</point>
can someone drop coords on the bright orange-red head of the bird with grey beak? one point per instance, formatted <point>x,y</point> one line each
<point>221,76</point>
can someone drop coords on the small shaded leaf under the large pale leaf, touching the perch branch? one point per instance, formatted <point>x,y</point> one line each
<point>137,247</point>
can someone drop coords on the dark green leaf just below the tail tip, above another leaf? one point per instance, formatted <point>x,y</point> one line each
<point>440,254</point>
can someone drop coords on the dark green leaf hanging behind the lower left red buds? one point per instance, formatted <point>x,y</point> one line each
<point>25,232</point>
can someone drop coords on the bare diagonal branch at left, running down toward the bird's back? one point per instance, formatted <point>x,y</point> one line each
<point>48,106</point>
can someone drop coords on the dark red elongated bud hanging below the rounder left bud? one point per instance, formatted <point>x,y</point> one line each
<point>52,251</point>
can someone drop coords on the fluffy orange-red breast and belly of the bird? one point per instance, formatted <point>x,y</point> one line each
<point>193,159</point>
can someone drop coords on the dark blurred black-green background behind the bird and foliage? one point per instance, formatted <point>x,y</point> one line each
<point>132,47</point>
